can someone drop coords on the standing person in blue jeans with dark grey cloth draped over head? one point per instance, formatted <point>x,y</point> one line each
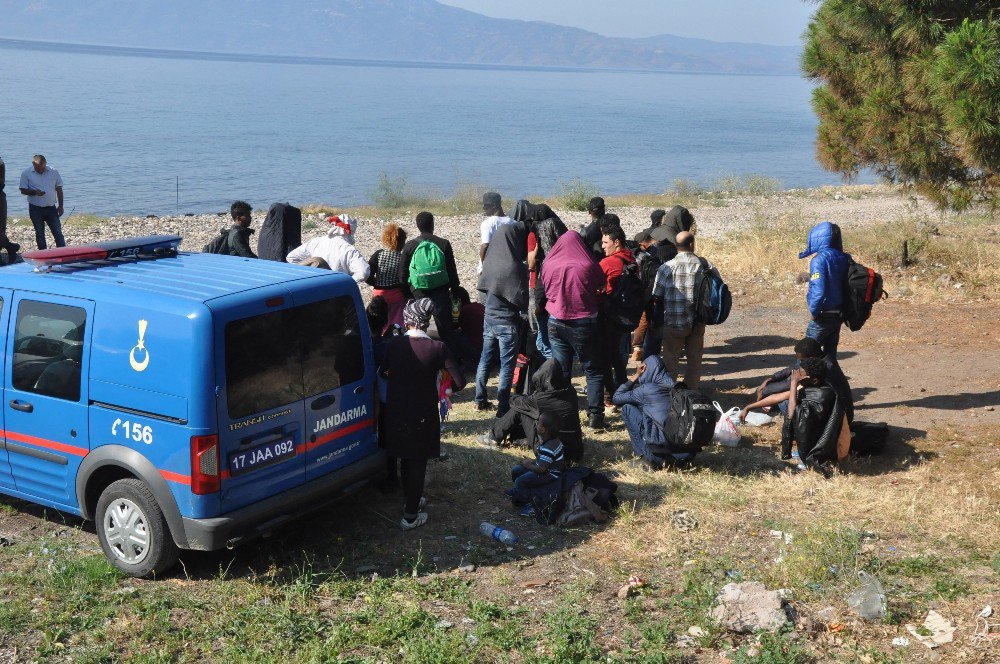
<point>505,281</point>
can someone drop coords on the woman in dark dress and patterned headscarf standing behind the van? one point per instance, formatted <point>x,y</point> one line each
<point>411,368</point>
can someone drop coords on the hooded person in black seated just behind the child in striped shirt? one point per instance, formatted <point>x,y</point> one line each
<point>551,393</point>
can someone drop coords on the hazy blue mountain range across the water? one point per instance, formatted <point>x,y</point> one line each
<point>410,30</point>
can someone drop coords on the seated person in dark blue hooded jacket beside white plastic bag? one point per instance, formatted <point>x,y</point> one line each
<point>645,404</point>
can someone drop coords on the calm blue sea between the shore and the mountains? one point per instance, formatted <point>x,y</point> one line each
<point>121,129</point>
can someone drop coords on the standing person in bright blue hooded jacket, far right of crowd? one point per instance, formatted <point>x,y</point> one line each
<point>827,281</point>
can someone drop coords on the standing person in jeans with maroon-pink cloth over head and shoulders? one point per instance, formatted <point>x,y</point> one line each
<point>573,284</point>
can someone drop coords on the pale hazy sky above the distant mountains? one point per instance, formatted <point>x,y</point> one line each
<point>763,21</point>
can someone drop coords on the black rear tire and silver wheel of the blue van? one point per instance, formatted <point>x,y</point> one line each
<point>132,498</point>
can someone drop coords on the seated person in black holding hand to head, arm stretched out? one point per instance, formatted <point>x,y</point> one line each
<point>816,416</point>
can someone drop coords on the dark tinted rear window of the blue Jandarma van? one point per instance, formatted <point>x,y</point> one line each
<point>284,356</point>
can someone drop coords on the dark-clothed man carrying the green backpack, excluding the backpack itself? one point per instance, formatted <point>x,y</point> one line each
<point>441,296</point>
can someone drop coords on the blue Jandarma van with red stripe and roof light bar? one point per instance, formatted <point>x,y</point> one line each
<point>181,400</point>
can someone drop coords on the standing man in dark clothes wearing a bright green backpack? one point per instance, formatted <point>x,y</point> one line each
<point>427,267</point>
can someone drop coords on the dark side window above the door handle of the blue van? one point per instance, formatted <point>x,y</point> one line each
<point>48,349</point>
